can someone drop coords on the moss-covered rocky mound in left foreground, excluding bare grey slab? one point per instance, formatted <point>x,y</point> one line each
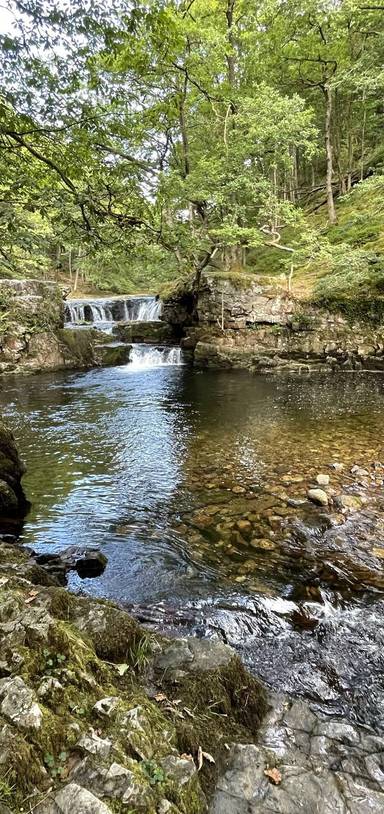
<point>97,715</point>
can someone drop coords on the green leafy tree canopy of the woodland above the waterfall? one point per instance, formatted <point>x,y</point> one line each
<point>141,142</point>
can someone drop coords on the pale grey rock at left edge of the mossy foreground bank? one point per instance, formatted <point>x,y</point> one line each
<point>19,704</point>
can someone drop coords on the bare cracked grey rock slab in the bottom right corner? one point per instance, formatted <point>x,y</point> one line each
<point>322,765</point>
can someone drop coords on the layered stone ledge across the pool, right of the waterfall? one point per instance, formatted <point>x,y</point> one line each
<point>239,321</point>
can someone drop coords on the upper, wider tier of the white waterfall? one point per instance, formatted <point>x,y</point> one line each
<point>103,313</point>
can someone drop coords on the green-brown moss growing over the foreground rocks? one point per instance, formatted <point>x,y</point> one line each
<point>86,639</point>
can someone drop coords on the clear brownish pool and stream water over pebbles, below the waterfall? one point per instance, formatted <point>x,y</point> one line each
<point>194,486</point>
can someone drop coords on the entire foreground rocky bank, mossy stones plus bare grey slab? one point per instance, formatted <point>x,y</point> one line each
<point>97,715</point>
